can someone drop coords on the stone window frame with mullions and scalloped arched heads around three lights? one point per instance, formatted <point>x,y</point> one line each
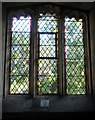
<point>61,65</point>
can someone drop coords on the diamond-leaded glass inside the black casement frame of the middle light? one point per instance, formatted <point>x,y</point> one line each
<point>47,46</point>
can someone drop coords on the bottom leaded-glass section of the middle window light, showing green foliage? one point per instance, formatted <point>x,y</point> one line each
<point>47,84</point>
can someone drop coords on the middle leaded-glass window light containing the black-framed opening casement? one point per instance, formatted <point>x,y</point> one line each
<point>47,55</point>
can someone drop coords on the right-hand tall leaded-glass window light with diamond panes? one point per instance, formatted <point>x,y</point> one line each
<point>74,55</point>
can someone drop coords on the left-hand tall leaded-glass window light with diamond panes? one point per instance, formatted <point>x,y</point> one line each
<point>20,54</point>
